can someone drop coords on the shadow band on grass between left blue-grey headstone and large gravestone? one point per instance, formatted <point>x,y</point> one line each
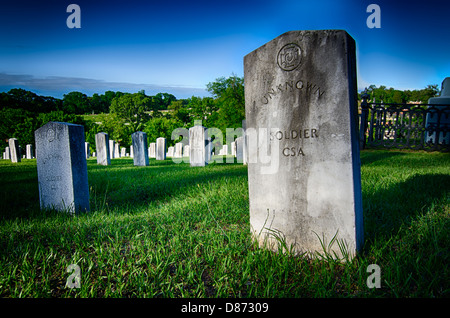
<point>139,186</point>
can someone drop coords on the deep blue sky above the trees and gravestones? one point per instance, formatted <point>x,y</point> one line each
<point>180,46</point>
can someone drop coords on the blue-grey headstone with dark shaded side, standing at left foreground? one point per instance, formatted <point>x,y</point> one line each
<point>61,167</point>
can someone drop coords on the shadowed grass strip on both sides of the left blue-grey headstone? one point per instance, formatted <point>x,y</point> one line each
<point>120,184</point>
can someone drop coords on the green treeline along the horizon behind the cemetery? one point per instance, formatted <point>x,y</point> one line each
<point>120,114</point>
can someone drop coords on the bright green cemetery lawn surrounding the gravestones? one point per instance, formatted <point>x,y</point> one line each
<point>171,230</point>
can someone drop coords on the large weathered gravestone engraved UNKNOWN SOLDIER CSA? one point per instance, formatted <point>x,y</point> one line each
<point>303,151</point>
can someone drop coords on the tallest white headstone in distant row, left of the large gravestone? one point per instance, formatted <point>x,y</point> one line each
<point>197,146</point>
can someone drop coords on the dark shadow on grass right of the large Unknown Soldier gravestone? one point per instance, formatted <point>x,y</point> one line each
<point>386,211</point>
